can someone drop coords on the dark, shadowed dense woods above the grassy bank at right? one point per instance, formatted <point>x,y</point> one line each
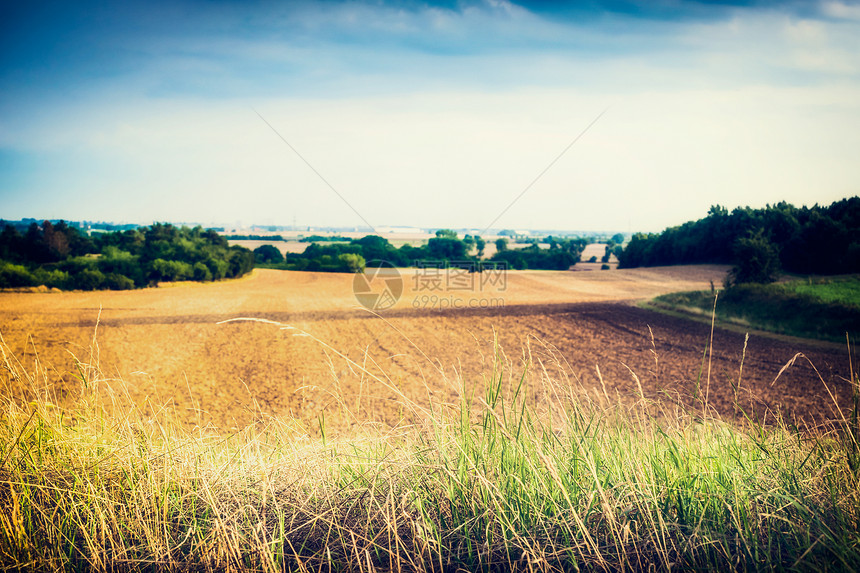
<point>759,242</point>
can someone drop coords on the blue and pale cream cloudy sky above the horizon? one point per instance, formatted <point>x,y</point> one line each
<point>594,115</point>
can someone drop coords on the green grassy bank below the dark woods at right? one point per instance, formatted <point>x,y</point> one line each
<point>822,309</point>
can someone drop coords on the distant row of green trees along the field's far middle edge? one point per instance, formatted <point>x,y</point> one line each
<point>446,248</point>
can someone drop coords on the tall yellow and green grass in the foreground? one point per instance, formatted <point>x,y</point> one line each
<point>495,481</point>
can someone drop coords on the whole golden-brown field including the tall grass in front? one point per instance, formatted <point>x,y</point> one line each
<point>541,423</point>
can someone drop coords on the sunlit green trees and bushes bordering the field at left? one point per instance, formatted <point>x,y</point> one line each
<point>63,256</point>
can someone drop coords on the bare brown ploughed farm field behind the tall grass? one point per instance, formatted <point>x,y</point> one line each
<point>169,348</point>
